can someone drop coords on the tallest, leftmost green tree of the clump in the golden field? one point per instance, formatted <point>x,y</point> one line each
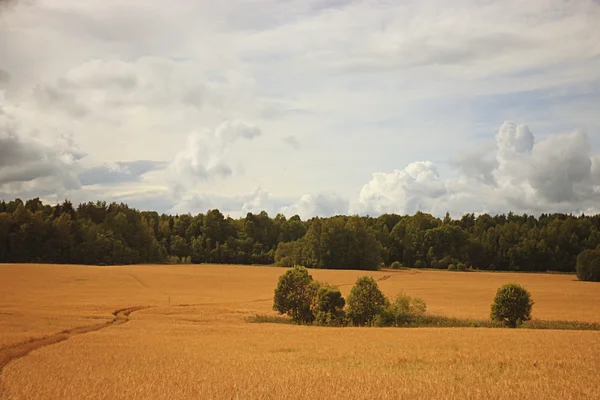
<point>294,294</point>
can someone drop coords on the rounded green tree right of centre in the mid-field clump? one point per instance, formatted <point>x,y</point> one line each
<point>365,301</point>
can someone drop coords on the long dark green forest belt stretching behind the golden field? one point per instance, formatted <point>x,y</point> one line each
<point>101,233</point>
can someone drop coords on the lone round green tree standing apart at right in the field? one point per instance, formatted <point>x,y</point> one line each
<point>512,305</point>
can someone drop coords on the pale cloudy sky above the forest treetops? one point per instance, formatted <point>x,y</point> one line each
<point>304,107</point>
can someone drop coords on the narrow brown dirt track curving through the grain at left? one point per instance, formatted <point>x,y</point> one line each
<point>10,353</point>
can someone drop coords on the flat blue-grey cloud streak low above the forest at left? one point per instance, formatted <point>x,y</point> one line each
<point>122,172</point>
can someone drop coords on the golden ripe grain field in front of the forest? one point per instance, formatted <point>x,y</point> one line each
<point>193,341</point>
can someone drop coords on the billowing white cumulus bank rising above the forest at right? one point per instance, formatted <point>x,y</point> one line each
<point>557,174</point>
